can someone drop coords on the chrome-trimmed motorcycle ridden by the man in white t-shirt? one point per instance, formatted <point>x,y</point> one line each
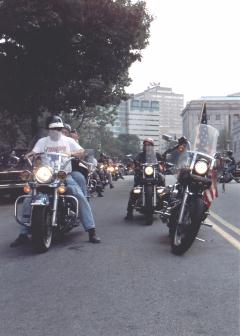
<point>53,210</point>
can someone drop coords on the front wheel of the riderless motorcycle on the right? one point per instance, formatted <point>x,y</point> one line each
<point>183,236</point>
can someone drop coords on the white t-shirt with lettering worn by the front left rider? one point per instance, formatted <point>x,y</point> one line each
<point>63,145</point>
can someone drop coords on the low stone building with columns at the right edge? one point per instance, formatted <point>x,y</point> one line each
<point>222,112</point>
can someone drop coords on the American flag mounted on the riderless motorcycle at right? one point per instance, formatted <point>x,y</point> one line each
<point>205,142</point>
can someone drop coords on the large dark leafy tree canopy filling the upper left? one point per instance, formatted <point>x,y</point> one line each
<point>68,55</point>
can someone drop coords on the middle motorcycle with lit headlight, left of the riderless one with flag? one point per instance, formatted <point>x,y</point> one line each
<point>146,194</point>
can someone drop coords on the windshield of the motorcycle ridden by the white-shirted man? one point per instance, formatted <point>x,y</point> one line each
<point>57,161</point>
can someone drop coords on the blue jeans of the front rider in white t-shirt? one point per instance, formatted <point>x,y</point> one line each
<point>85,213</point>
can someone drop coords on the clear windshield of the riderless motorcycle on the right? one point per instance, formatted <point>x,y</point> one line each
<point>204,139</point>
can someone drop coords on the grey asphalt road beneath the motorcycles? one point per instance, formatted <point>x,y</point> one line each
<point>129,285</point>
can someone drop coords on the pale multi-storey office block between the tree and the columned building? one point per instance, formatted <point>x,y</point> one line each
<point>152,113</point>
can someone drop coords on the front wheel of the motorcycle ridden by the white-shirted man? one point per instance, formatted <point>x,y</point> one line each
<point>42,230</point>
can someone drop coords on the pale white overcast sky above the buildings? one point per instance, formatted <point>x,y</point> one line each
<point>194,48</point>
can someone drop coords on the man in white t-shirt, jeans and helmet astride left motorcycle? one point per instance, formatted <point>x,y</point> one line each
<point>56,142</point>
